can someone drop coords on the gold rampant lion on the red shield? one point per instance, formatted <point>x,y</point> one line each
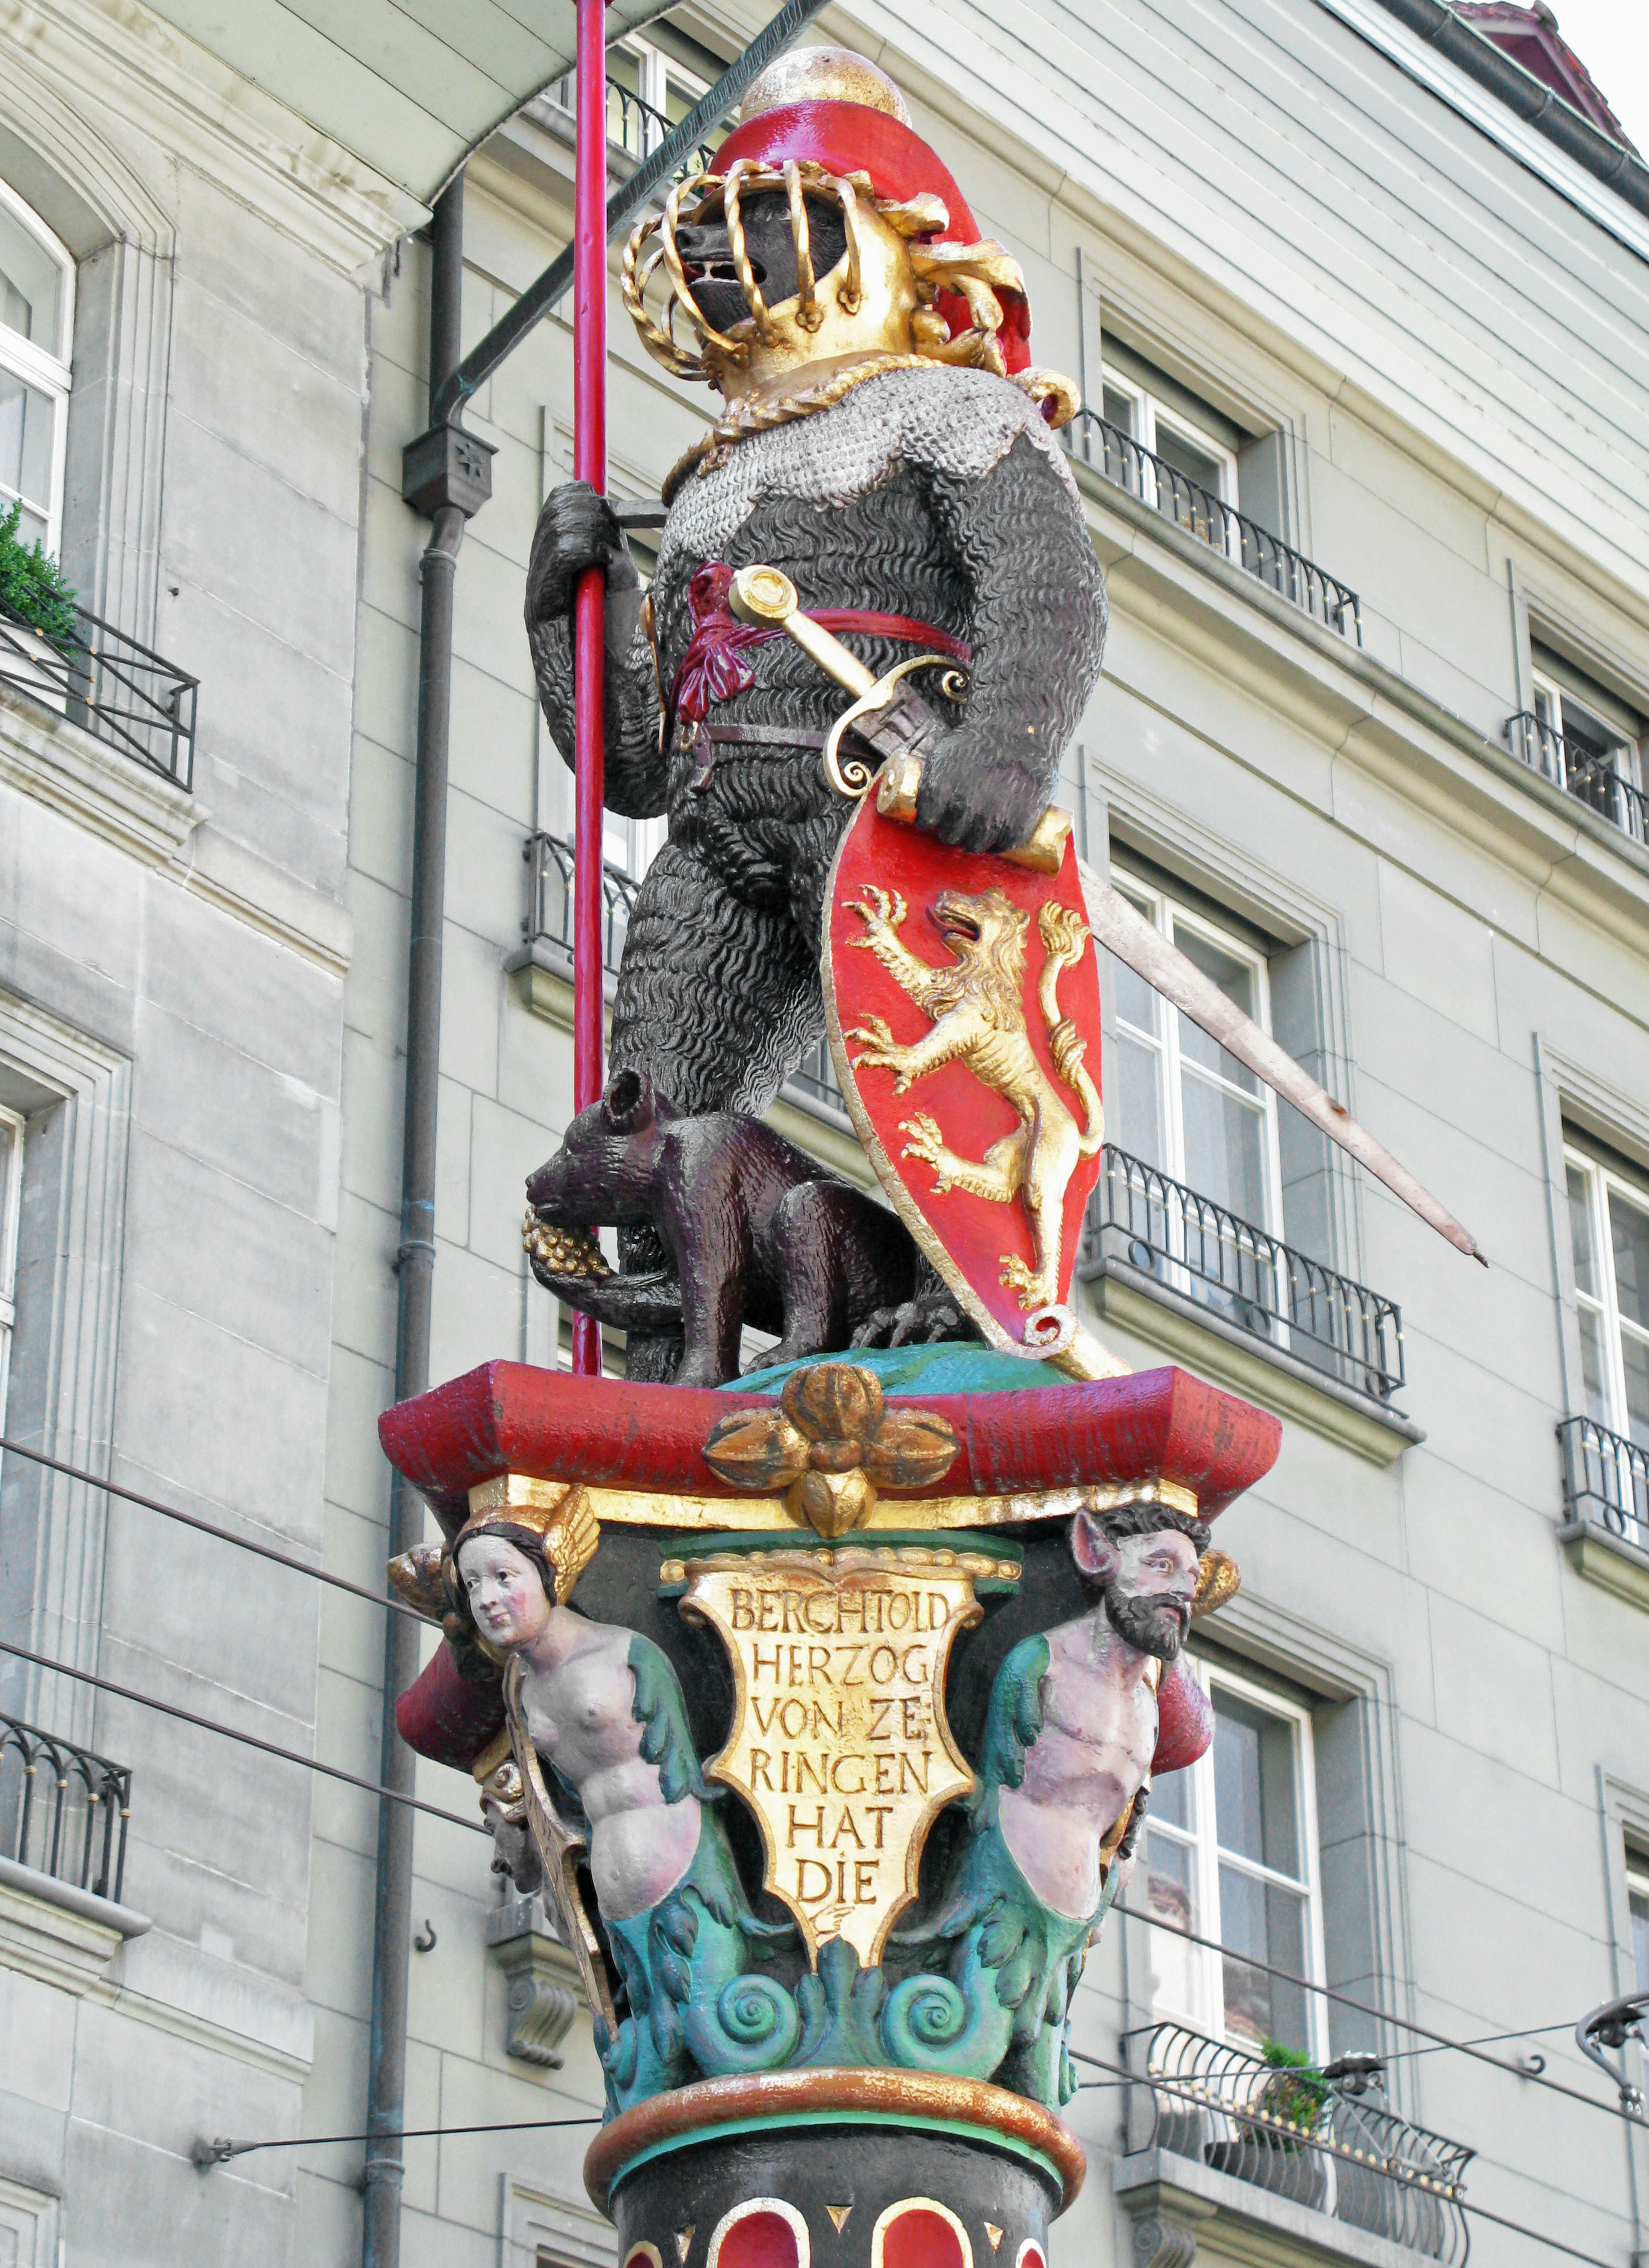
<point>979,1019</point>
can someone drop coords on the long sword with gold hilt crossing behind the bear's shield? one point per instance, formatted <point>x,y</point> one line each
<point>902,729</point>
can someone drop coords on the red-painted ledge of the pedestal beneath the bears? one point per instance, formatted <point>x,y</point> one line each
<point>611,1435</point>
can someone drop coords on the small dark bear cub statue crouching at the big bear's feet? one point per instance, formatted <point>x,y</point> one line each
<point>759,1233</point>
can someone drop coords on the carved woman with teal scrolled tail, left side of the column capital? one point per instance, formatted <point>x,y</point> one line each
<point>609,1768</point>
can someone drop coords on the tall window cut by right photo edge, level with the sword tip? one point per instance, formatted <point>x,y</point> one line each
<point>1607,1448</point>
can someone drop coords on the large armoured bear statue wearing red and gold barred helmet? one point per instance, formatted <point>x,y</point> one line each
<point>890,450</point>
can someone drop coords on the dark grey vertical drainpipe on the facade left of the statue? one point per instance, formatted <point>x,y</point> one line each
<point>437,489</point>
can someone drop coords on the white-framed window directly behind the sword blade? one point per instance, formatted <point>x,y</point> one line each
<point>1174,1097</point>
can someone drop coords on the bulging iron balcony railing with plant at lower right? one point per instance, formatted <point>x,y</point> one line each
<point>1301,2138</point>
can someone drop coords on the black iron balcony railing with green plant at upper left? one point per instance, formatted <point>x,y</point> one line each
<point>108,684</point>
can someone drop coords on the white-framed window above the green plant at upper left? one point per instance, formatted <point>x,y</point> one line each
<point>37,289</point>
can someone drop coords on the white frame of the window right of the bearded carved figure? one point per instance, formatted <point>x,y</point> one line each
<point>1203,1965</point>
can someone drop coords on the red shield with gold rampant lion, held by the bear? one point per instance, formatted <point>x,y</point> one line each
<point>963,1001</point>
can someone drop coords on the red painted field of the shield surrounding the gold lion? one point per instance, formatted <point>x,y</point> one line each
<point>976,1233</point>
